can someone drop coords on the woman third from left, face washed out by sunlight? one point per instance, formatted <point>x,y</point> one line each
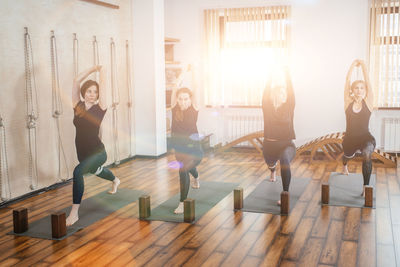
<point>278,110</point>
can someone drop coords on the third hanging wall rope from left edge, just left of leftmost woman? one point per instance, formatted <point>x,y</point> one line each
<point>57,109</point>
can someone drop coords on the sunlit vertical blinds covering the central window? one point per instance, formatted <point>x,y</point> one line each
<point>243,45</point>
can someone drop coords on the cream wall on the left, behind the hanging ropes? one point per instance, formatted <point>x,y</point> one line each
<point>65,17</point>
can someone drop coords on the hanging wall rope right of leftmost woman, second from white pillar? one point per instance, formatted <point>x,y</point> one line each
<point>115,102</point>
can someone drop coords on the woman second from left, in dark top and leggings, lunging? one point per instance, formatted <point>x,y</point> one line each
<point>185,141</point>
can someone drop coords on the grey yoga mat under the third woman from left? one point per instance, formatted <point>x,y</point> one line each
<point>264,198</point>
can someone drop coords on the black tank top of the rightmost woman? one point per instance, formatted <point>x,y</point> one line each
<point>357,124</point>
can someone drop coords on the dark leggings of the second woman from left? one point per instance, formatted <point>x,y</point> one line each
<point>188,164</point>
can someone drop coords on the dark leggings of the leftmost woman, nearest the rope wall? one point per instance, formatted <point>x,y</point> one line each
<point>92,164</point>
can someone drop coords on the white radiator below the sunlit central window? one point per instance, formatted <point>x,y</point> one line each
<point>237,126</point>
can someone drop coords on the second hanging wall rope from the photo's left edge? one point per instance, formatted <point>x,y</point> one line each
<point>31,108</point>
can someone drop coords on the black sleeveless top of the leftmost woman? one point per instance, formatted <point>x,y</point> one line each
<point>87,124</point>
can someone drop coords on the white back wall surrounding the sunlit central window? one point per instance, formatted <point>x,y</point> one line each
<point>326,37</point>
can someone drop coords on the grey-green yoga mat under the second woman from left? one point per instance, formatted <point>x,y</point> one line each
<point>206,197</point>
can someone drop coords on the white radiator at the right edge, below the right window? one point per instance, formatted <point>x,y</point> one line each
<point>391,134</point>
